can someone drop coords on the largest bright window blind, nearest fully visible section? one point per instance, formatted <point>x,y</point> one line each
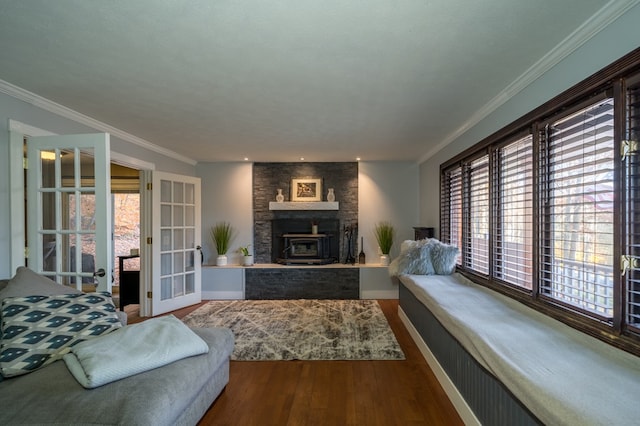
<point>576,259</point>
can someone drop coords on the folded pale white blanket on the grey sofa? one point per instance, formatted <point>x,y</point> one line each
<point>131,350</point>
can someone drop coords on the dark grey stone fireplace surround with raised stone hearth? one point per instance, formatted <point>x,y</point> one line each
<point>305,281</point>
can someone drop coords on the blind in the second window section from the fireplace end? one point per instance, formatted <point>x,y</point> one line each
<point>476,239</point>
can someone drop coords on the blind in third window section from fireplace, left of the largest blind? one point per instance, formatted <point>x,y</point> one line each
<point>513,218</point>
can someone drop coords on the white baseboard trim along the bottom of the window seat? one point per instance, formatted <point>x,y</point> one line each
<point>461,406</point>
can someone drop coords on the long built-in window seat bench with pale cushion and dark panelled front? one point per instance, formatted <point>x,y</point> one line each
<point>506,363</point>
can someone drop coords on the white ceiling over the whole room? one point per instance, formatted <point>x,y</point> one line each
<point>276,80</point>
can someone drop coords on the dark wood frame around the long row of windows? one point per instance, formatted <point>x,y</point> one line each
<point>612,81</point>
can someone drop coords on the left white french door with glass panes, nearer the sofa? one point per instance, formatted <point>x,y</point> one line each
<point>69,209</point>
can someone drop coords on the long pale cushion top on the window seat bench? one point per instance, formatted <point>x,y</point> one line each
<point>563,376</point>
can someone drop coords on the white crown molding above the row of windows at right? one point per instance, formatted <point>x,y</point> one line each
<point>592,26</point>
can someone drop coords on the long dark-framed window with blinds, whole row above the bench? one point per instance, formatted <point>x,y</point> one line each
<point>547,210</point>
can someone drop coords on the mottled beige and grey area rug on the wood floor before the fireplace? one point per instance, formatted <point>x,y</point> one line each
<point>302,329</point>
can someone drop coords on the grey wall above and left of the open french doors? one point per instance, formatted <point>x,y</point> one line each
<point>26,113</point>
